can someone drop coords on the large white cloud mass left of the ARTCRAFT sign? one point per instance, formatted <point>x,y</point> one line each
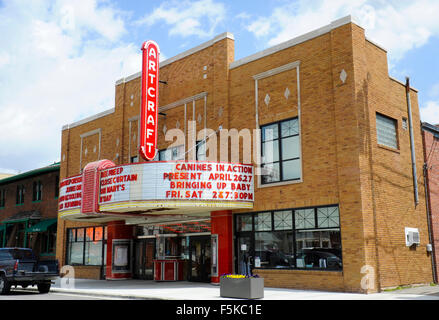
<point>58,62</point>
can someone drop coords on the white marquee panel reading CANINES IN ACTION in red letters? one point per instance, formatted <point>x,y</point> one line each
<point>177,181</point>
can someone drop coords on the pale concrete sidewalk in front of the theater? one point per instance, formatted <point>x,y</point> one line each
<point>183,290</point>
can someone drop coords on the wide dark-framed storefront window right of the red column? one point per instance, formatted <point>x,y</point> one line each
<point>301,238</point>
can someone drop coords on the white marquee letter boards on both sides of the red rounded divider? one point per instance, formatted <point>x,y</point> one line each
<point>168,184</point>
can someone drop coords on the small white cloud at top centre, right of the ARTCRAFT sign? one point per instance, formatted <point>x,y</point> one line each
<point>187,18</point>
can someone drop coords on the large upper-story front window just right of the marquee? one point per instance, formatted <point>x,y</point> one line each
<point>281,151</point>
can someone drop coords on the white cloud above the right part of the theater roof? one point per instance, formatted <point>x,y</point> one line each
<point>396,25</point>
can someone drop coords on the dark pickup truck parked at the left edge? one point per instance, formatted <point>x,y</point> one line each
<point>20,267</point>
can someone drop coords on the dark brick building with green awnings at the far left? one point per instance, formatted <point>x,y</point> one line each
<point>28,210</point>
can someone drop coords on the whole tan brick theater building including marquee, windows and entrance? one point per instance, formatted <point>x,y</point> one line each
<point>335,207</point>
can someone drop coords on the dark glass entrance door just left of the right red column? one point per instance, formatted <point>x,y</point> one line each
<point>200,259</point>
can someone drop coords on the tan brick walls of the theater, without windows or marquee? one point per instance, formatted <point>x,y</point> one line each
<point>341,160</point>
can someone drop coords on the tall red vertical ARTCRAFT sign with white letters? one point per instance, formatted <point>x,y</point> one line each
<point>150,99</point>
